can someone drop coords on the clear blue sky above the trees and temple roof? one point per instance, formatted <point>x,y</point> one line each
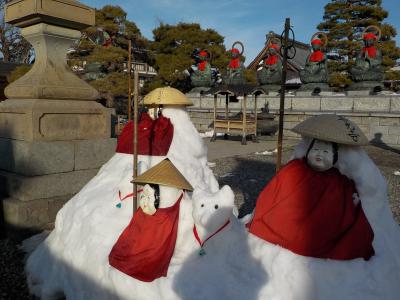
<point>244,20</point>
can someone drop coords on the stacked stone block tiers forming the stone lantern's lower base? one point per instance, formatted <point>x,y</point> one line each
<point>38,178</point>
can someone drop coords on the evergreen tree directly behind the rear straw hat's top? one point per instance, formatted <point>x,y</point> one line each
<point>173,46</point>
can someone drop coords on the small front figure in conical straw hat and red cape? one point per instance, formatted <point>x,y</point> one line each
<point>144,249</point>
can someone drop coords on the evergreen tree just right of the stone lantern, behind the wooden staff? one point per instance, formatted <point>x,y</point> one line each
<point>104,48</point>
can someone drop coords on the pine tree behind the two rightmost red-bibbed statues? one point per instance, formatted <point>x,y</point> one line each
<point>344,22</point>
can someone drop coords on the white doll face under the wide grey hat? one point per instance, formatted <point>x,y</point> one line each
<point>320,156</point>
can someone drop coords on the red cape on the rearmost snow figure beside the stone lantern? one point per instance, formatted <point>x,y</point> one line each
<point>154,137</point>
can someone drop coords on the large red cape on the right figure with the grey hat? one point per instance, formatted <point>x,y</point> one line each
<point>312,214</point>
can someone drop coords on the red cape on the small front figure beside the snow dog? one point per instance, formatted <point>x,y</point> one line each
<point>144,249</point>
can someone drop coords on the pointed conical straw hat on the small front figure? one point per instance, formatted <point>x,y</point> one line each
<point>164,173</point>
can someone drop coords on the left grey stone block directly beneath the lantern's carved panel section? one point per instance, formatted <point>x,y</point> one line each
<point>36,158</point>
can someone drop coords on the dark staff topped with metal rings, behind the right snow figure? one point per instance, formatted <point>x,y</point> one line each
<point>282,102</point>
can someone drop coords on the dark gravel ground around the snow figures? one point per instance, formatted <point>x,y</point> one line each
<point>246,174</point>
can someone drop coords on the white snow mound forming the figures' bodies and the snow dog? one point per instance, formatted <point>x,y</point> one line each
<point>73,260</point>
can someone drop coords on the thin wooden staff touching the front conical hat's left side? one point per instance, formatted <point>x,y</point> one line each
<point>135,135</point>
